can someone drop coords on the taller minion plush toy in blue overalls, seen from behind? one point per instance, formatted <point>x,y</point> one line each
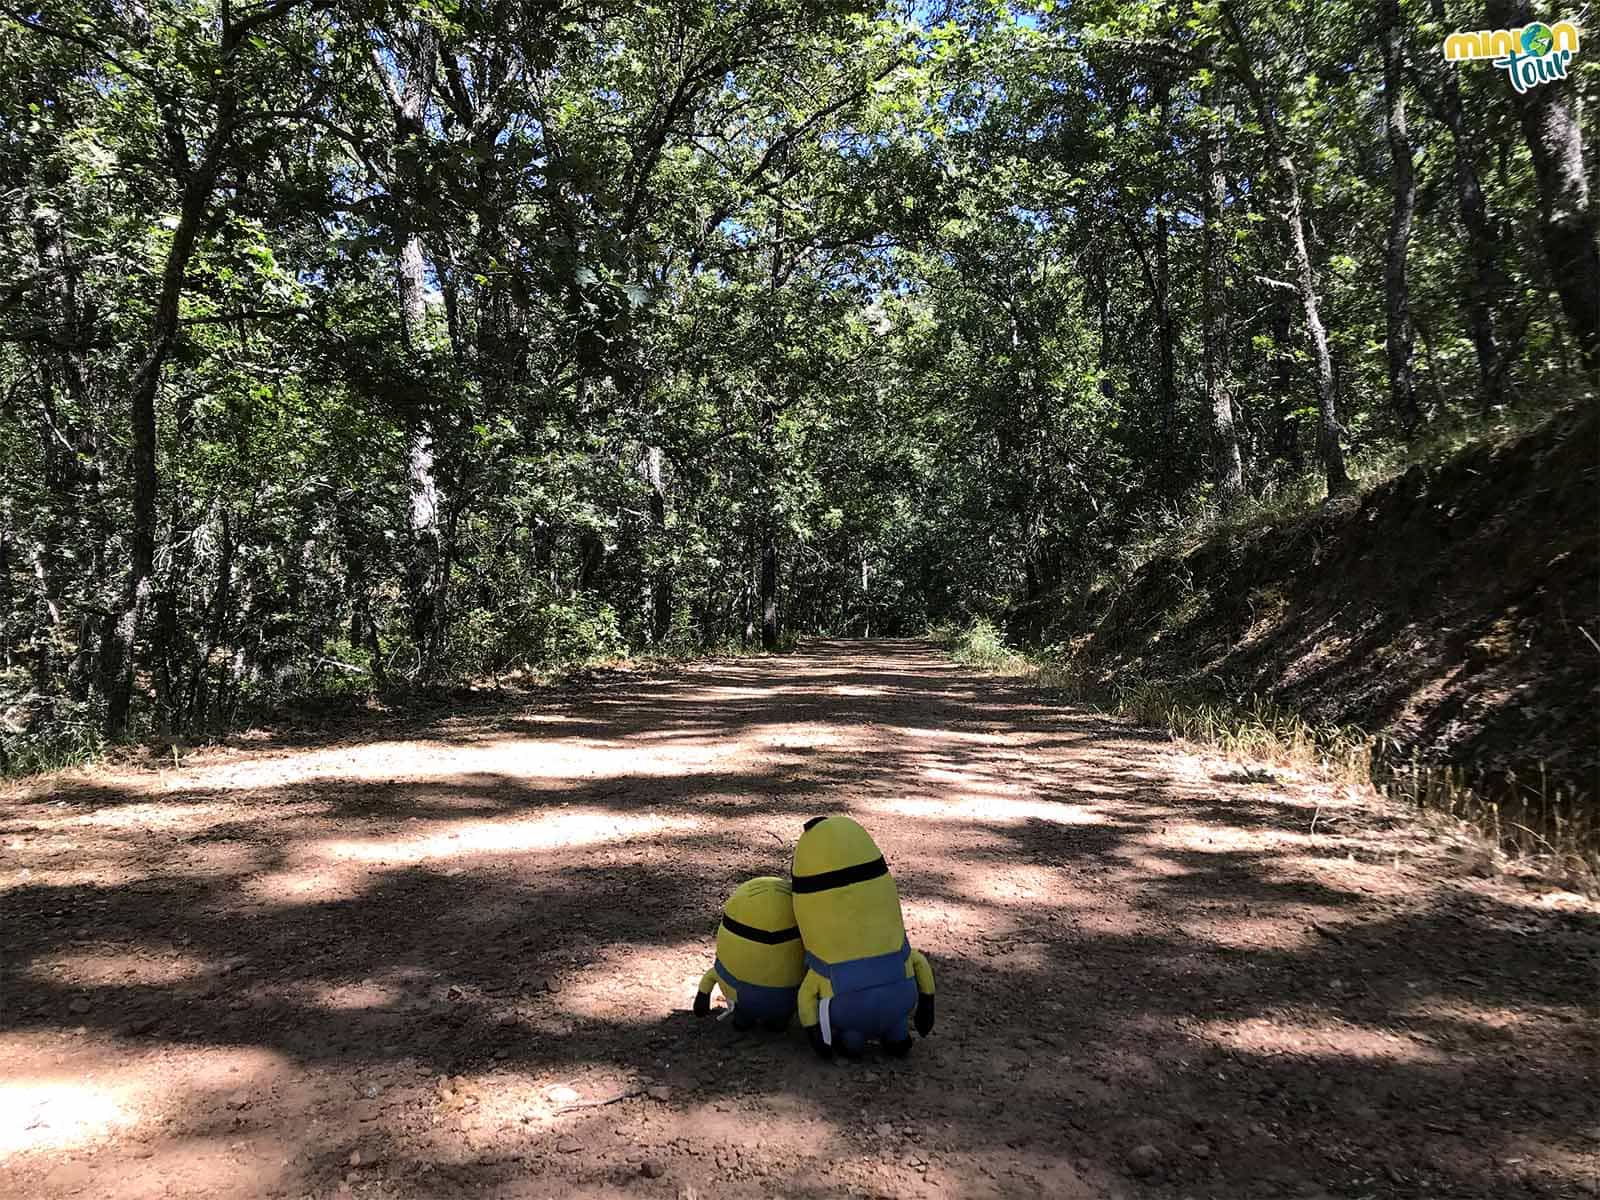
<point>863,978</point>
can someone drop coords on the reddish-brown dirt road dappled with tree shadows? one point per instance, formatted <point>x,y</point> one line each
<point>394,964</point>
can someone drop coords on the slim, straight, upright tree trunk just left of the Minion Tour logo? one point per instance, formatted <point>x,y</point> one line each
<point>1402,188</point>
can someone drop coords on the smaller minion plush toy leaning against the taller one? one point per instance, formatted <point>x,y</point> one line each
<point>759,956</point>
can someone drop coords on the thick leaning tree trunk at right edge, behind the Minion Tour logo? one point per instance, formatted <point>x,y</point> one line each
<point>1569,223</point>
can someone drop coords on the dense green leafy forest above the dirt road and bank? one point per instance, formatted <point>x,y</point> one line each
<point>354,346</point>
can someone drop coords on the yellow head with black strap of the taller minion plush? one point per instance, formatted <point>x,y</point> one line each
<point>846,902</point>
